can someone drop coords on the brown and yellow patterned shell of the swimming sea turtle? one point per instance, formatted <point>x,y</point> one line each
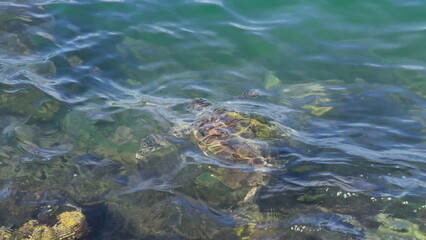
<point>235,137</point>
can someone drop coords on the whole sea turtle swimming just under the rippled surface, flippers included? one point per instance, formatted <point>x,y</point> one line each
<point>239,140</point>
